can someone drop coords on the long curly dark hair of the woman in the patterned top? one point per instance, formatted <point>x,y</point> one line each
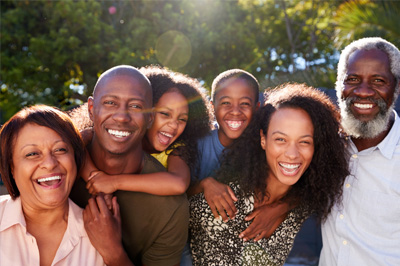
<point>320,187</point>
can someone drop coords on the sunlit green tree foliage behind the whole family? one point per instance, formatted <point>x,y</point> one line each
<point>53,51</point>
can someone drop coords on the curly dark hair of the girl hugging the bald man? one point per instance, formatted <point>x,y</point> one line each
<point>199,119</point>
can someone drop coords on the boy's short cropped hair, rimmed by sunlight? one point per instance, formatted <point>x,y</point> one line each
<point>237,74</point>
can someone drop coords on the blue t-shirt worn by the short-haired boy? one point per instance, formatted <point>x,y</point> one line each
<point>209,156</point>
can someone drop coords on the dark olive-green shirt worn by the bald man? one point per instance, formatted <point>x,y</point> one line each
<point>154,228</point>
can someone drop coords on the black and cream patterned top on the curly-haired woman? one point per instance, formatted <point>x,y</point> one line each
<point>214,242</point>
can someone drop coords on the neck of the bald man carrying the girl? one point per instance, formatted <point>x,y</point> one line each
<point>114,164</point>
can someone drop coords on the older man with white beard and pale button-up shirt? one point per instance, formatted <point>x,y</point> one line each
<point>365,228</point>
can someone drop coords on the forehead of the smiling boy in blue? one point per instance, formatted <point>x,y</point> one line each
<point>235,88</point>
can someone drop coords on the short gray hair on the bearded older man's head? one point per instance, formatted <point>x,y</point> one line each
<point>367,44</point>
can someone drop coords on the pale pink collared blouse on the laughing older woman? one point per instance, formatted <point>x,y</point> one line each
<point>19,247</point>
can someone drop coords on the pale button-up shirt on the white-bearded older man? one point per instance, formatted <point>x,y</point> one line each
<point>365,228</point>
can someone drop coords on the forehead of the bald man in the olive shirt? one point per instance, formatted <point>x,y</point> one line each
<point>124,87</point>
